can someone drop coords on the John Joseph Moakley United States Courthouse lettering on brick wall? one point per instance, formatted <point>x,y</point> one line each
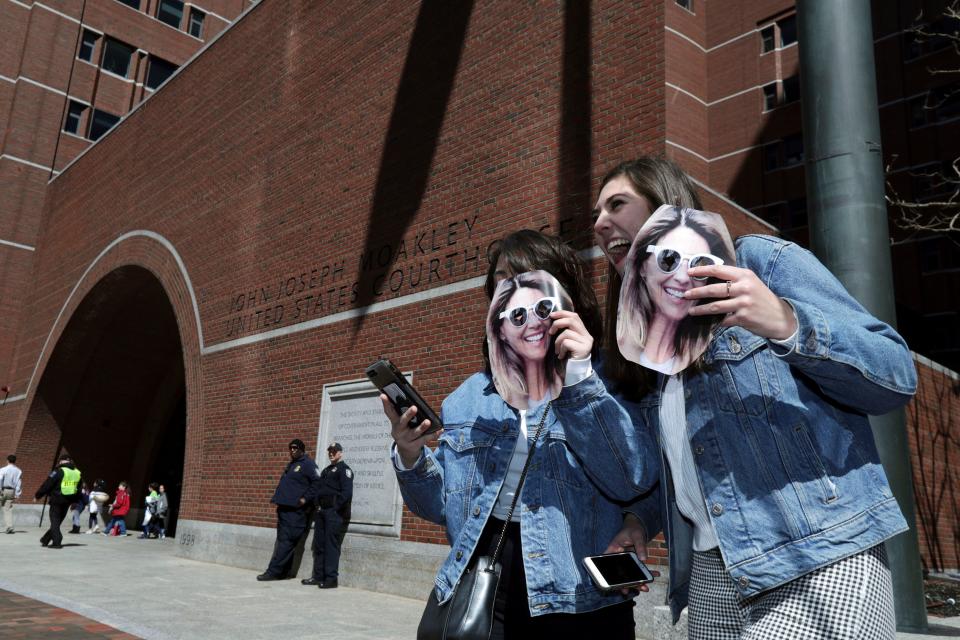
<point>434,256</point>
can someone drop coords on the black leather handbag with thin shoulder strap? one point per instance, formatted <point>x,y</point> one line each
<point>468,614</point>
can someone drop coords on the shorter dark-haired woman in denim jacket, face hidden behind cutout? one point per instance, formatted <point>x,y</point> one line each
<point>565,511</point>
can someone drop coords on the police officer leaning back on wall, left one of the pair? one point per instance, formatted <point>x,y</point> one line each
<point>294,497</point>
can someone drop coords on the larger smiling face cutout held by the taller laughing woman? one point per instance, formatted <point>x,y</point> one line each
<point>654,327</point>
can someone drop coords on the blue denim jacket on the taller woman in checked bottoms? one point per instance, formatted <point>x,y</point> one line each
<point>784,450</point>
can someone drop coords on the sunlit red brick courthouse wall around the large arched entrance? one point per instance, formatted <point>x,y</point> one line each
<point>261,162</point>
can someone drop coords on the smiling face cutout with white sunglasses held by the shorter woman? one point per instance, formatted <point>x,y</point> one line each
<point>522,354</point>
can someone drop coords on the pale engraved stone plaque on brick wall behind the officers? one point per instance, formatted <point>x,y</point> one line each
<point>358,423</point>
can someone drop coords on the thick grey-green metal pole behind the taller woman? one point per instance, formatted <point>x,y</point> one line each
<point>848,225</point>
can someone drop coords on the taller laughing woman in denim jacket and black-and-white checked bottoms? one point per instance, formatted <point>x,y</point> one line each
<point>776,504</point>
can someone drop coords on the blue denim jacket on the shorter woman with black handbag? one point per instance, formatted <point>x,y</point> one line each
<point>567,509</point>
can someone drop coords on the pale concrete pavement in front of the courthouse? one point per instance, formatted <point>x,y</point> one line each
<point>143,588</point>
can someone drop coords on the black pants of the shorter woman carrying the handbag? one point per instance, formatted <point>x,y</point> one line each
<point>511,612</point>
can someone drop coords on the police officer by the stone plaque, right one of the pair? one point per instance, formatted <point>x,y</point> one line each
<point>332,519</point>
